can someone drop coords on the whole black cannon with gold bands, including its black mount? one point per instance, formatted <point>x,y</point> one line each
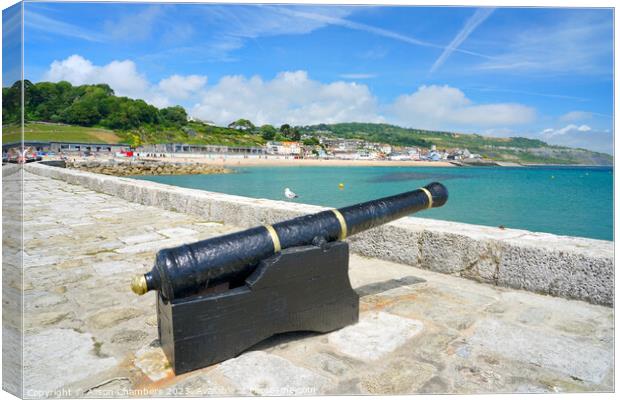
<point>220,296</point>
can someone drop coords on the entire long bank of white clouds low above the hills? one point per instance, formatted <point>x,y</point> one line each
<point>292,97</point>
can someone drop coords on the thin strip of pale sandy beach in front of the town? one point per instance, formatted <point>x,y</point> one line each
<point>232,161</point>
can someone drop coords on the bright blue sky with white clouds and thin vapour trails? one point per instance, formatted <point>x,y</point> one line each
<point>537,72</point>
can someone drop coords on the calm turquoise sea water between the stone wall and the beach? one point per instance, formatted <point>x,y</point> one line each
<point>574,201</point>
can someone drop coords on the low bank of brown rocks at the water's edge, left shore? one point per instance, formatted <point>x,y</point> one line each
<point>126,168</point>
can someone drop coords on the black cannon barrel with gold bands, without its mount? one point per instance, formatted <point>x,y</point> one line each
<point>189,269</point>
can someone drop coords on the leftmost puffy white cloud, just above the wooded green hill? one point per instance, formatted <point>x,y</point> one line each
<point>124,78</point>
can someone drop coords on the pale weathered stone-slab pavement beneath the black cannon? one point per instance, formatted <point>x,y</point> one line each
<point>86,334</point>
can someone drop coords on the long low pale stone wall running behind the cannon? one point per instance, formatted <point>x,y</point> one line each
<point>569,267</point>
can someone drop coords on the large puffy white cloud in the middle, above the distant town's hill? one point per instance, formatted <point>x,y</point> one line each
<point>290,97</point>
